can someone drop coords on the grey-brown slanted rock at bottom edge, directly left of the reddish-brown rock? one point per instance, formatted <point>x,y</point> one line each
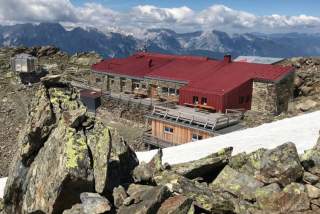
<point>149,201</point>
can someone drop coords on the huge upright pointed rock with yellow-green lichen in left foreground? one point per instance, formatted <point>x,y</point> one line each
<point>54,163</point>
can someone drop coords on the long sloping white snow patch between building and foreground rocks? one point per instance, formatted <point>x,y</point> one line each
<point>302,130</point>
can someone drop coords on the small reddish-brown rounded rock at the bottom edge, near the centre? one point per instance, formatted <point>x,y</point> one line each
<point>176,205</point>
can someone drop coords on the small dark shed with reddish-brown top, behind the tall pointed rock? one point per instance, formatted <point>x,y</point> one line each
<point>91,99</point>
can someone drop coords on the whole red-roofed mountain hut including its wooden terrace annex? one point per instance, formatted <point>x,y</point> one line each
<point>193,82</point>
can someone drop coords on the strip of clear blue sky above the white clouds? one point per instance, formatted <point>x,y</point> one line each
<point>284,7</point>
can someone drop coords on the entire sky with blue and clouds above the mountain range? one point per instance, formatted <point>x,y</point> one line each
<point>135,16</point>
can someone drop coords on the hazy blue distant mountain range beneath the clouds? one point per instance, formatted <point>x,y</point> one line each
<point>117,44</point>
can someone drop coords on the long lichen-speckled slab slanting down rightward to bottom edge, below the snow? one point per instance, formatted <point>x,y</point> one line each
<point>202,196</point>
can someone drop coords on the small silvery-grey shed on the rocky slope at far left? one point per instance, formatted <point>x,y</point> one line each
<point>24,63</point>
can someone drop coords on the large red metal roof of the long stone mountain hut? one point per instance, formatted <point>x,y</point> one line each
<point>201,73</point>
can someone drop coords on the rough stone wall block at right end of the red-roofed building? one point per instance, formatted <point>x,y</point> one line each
<point>272,97</point>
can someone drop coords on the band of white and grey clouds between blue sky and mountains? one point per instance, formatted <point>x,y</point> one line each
<point>183,18</point>
